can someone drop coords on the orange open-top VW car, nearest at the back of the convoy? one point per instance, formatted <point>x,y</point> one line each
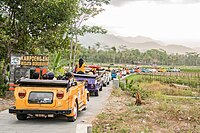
<point>49,98</point>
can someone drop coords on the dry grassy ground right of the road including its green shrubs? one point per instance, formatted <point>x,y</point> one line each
<point>167,108</point>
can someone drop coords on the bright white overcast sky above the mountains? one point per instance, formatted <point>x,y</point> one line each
<point>170,21</point>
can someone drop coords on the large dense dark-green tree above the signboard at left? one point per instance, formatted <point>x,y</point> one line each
<point>28,25</point>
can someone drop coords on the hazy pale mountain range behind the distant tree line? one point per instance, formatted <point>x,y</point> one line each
<point>139,42</point>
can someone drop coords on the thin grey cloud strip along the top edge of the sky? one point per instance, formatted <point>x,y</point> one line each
<point>123,2</point>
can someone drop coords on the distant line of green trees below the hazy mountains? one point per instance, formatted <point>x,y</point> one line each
<point>123,55</point>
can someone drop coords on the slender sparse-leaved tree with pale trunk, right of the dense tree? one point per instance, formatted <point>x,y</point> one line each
<point>86,10</point>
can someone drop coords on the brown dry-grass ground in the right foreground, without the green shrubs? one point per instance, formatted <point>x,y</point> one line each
<point>160,114</point>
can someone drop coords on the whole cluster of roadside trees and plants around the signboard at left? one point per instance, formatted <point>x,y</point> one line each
<point>45,28</point>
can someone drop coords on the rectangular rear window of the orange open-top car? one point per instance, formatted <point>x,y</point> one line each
<point>40,98</point>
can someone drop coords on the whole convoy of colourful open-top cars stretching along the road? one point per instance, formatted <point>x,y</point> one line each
<point>36,98</point>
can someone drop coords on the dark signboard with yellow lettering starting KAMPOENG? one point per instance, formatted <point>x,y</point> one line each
<point>34,60</point>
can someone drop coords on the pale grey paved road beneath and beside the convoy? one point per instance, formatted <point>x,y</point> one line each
<point>9,123</point>
